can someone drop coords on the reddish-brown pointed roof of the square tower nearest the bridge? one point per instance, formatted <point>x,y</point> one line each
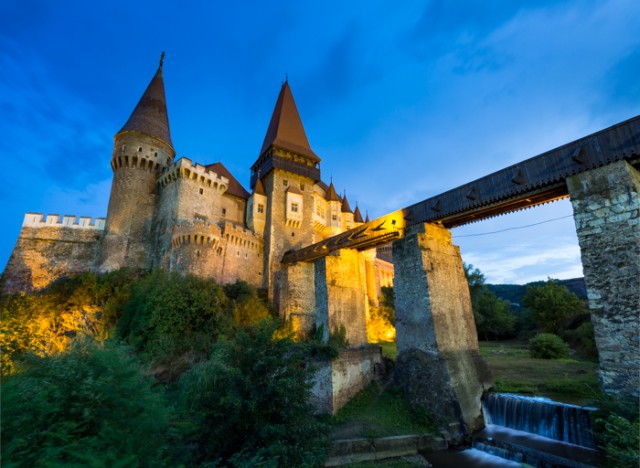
<point>285,128</point>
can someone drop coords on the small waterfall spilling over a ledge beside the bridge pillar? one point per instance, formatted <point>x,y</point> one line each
<point>558,421</point>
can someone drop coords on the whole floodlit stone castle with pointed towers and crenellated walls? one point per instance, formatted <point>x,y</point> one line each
<point>196,219</point>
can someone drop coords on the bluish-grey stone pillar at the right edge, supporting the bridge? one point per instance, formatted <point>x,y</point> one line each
<point>605,209</point>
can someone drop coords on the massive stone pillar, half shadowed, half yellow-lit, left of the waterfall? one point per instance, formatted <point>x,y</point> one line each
<point>438,364</point>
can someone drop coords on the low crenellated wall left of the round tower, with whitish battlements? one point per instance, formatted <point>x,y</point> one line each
<point>51,247</point>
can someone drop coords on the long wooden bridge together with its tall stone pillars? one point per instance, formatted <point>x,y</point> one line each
<point>438,364</point>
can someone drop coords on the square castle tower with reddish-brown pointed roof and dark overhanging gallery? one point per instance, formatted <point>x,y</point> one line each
<point>288,169</point>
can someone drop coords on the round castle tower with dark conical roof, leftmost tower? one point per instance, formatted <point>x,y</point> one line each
<point>141,150</point>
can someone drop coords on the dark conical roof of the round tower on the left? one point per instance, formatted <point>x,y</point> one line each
<point>150,115</point>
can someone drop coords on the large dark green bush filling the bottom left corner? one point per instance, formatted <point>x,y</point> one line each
<point>91,406</point>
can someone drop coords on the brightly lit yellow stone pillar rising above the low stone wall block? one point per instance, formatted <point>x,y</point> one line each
<point>341,294</point>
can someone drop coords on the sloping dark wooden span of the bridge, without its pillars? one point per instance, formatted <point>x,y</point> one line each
<point>537,180</point>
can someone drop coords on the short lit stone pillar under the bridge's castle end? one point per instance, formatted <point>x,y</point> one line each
<point>297,298</point>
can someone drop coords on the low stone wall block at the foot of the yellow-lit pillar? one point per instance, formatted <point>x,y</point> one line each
<point>337,381</point>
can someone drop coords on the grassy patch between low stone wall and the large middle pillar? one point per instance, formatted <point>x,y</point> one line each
<point>375,412</point>
